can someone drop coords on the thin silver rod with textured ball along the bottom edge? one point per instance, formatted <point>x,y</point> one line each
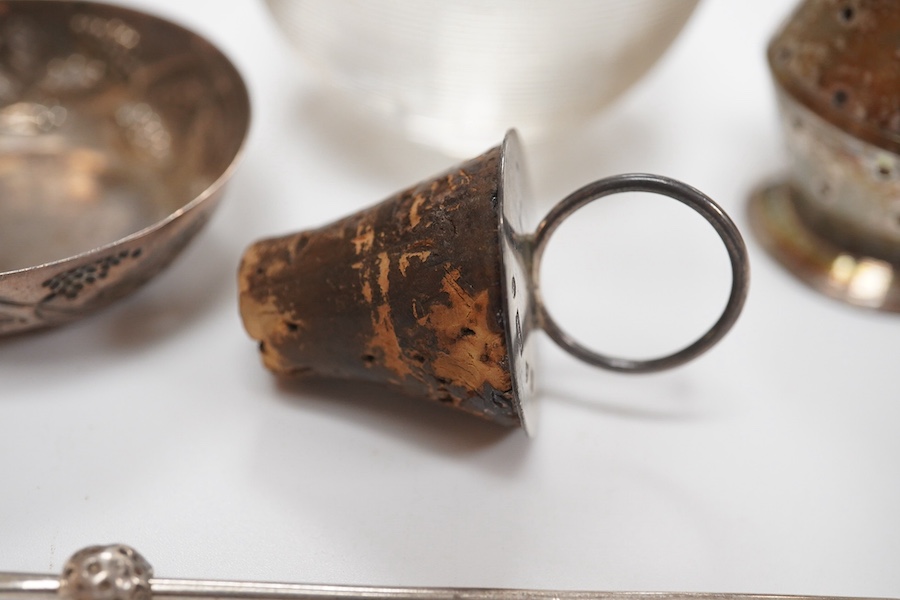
<point>118,572</point>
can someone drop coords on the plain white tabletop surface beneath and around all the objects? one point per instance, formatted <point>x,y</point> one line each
<point>771,464</point>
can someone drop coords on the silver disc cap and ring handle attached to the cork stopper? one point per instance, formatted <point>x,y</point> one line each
<point>522,253</point>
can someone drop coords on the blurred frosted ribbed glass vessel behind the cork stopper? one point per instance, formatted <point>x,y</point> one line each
<point>457,74</point>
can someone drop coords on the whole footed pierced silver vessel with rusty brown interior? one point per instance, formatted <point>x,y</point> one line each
<point>834,222</point>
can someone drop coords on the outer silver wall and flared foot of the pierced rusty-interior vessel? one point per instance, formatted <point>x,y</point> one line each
<point>835,224</point>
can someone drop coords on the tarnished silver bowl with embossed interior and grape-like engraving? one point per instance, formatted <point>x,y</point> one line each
<point>117,133</point>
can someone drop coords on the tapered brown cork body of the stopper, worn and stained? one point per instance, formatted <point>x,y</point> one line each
<point>407,293</point>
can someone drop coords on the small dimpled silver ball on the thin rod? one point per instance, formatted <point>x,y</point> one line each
<point>114,572</point>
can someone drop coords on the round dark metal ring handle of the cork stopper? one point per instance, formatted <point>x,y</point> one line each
<point>655,184</point>
